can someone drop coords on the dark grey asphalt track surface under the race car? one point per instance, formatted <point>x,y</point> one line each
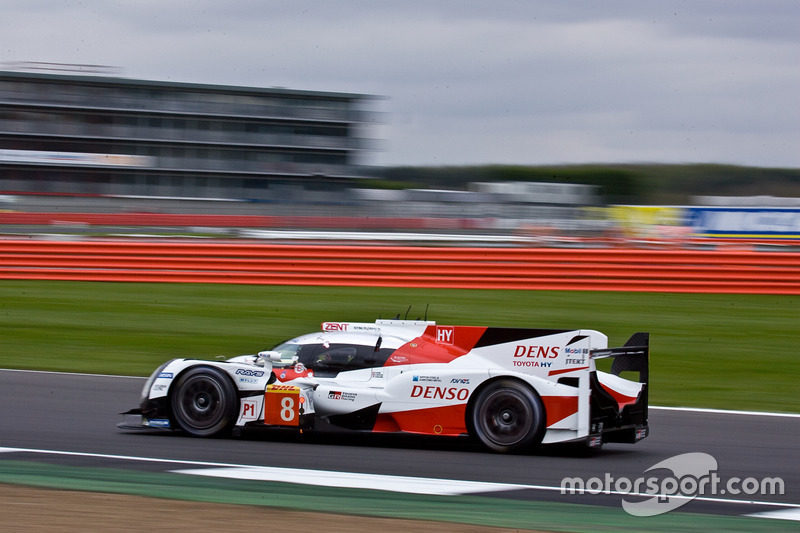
<point>78,414</point>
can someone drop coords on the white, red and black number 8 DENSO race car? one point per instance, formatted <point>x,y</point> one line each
<point>509,388</point>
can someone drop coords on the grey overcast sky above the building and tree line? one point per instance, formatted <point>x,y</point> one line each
<point>473,82</point>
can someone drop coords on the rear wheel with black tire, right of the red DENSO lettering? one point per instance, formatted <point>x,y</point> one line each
<point>507,416</point>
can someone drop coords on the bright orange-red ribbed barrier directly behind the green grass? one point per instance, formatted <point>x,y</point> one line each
<point>702,271</point>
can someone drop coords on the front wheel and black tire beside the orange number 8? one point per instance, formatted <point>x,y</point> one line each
<point>204,402</point>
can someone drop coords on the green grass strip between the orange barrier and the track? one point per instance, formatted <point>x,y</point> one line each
<point>721,351</point>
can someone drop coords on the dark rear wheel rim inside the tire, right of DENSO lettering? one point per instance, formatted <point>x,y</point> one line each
<point>506,417</point>
